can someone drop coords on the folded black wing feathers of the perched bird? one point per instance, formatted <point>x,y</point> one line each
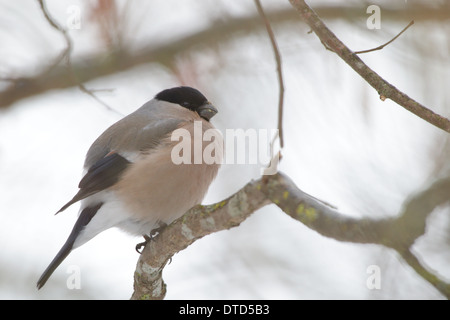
<point>100,176</point>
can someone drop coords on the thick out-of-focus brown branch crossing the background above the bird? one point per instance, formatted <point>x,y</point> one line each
<point>93,67</point>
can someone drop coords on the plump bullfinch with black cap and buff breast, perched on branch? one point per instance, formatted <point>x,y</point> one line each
<point>130,180</point>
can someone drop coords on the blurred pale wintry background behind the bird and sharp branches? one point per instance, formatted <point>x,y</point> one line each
<point>342,143</point>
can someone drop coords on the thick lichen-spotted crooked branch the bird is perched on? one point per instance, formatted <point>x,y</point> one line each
<point>280,190</point>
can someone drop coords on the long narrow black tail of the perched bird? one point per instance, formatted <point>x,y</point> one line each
<point>85,217</point>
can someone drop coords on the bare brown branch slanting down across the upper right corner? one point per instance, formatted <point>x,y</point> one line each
<point>385,89</point>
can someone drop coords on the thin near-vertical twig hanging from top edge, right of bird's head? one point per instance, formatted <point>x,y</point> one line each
<point>279,70</point>
